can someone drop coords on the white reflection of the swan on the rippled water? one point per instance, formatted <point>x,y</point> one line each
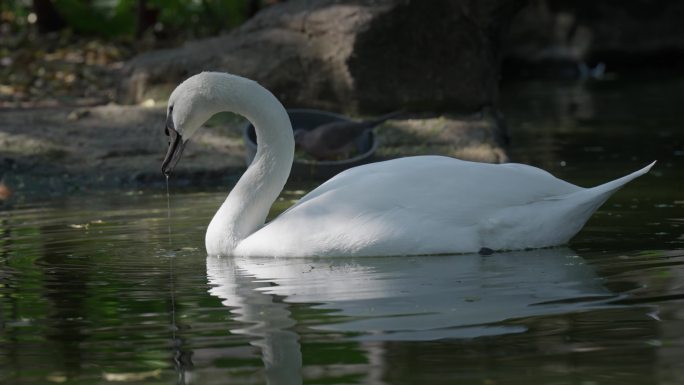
<point>398,298</point>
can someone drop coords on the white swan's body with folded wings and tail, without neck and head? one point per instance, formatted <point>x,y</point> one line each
<point>430,205</point>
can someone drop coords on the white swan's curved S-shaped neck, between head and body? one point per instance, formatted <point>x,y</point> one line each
<point>246,207</point>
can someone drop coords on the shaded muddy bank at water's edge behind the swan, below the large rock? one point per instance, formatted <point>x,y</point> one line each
<point>48,152</point>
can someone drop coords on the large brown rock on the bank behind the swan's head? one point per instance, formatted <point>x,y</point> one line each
<point>354,56</point>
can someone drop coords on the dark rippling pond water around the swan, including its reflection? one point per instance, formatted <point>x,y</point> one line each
<point>93,290</point>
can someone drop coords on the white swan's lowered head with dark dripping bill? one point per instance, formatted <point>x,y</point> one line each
<point>191,104</point>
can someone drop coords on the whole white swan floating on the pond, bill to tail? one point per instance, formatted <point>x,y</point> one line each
<point>408,206</point>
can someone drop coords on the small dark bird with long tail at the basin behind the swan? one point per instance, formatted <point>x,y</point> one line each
<point>332,141</point>
